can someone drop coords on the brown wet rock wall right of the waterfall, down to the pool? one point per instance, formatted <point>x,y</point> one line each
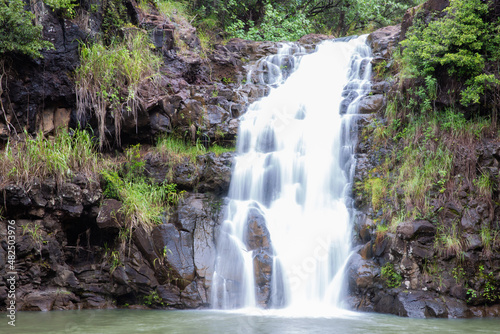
<point>433,259</point>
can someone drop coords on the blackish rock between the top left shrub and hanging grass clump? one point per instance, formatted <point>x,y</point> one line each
<point>43,85</point>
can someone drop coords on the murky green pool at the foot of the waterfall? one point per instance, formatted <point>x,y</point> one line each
<point>186,322</point>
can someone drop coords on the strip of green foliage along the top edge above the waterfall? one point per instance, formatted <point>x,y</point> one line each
<point>290,19</point>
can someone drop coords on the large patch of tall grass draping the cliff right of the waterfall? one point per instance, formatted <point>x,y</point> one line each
<point>426,152</point>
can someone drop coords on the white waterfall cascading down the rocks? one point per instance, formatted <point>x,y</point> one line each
<point>286,236</point>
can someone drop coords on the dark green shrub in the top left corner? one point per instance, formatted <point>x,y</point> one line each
<point>18,34</point>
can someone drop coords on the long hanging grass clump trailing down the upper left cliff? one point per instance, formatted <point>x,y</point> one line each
<point>108,79</point>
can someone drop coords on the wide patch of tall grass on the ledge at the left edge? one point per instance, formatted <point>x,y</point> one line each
<point>59,157</point>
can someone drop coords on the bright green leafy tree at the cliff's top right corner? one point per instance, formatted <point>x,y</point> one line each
<point>462,43</point>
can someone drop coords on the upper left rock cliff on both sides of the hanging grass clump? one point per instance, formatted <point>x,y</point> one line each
<point>42,96</point>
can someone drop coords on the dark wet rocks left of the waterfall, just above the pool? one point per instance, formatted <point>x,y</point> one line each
<point>73,259</point>
